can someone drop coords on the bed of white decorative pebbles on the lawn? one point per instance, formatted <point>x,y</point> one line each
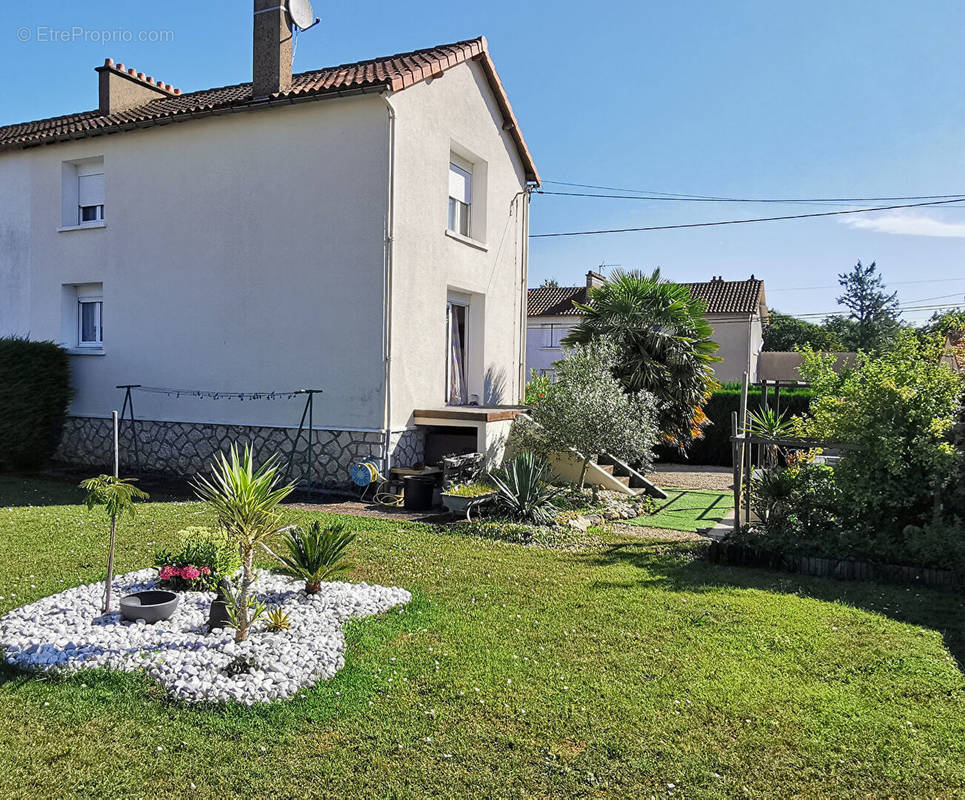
<point>66,632</point>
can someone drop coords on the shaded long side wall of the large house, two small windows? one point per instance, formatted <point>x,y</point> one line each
<point>240,253</point>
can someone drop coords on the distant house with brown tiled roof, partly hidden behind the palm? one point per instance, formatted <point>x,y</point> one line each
<point>736,310</point>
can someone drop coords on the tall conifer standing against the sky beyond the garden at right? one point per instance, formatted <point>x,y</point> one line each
<point>873,311</point>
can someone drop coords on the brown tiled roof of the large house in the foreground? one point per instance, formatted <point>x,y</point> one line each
<point>389,73</point>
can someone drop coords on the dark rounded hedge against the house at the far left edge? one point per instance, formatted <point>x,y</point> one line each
<point>35,391</point>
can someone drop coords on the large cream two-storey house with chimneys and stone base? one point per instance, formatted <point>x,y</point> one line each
<point>360,229</point>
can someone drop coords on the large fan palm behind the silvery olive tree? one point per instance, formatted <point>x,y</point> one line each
<point>664,346</point>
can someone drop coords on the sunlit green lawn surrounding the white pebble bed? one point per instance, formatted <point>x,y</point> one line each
<point>515,672</point>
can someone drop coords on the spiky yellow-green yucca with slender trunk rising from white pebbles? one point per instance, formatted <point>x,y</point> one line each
<point>245,501</point>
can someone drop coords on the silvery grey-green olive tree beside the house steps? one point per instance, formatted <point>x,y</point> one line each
<point>588,410</point>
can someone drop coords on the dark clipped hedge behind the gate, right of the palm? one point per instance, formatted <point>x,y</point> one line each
<point>714,447</point>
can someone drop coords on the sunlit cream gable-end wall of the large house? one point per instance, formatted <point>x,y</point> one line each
<point>455,112</point>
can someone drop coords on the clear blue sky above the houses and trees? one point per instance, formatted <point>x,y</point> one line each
<point>736,99</point>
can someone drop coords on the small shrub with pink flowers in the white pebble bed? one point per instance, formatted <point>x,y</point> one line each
<point>204,556</point>
